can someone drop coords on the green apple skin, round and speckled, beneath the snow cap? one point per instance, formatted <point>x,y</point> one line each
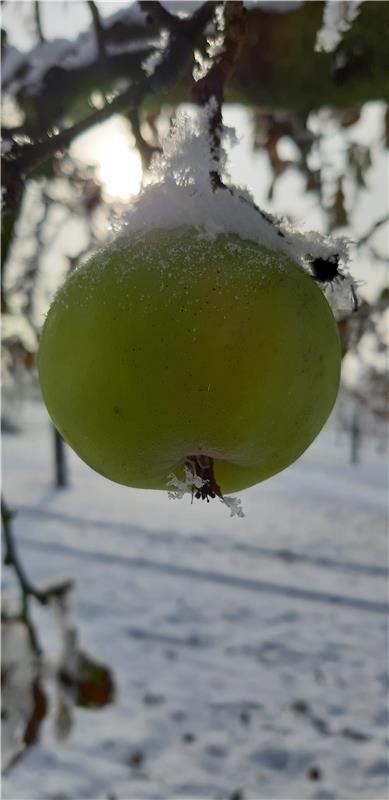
<point>168,344</point>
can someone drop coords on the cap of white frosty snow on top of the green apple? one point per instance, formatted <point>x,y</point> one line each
<point>179,193</point>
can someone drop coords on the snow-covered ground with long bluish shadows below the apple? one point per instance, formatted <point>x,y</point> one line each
<point>249,656</point>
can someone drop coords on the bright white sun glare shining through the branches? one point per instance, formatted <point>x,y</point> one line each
<point>110,148</point>
